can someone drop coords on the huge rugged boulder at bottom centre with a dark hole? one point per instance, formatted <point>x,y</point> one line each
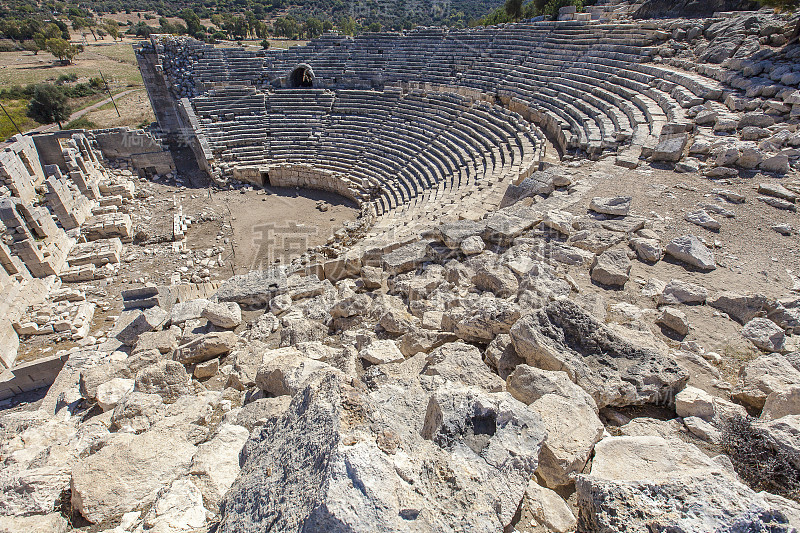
<point>338,460</point>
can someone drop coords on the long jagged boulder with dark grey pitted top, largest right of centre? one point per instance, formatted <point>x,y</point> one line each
<point>614,371</point>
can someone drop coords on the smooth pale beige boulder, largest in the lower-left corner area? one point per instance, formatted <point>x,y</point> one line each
<point>128,473</point>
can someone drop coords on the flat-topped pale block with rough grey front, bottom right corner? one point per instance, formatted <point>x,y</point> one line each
<point>655,484</point>
